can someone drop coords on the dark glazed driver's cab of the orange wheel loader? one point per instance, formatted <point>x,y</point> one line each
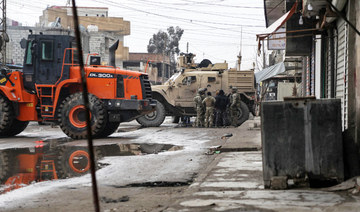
<point>43,61</point>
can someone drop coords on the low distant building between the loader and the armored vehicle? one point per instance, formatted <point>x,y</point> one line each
<point>156,65</point>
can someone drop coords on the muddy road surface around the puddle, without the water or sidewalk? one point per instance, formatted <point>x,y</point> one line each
<point>138,192</point>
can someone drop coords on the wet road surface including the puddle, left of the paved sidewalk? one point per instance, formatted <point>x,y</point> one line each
<point>147,161</point>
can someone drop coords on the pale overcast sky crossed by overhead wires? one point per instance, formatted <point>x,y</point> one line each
<point>211,27</point>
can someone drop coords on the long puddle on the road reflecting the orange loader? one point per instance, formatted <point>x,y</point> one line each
<point>54,159</point>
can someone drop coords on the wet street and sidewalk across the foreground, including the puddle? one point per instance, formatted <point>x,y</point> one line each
<point>169,168</point>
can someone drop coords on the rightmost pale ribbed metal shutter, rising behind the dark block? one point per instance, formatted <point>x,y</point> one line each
<point>341,77</point>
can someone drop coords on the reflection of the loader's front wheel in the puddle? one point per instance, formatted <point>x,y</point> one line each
<point>74,161</point>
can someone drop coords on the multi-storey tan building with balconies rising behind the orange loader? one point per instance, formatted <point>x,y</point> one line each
<point>103,30</point>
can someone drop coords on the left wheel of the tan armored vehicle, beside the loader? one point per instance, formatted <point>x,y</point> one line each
<point>153,119</point>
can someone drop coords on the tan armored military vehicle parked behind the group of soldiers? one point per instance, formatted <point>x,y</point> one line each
<point>175,96</point>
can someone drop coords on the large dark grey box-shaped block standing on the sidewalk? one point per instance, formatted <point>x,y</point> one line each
<point>302,136</point>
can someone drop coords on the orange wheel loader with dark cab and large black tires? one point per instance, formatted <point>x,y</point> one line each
<point>48,89</point>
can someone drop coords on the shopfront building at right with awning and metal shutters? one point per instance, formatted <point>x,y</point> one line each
<point>325,39</point>
